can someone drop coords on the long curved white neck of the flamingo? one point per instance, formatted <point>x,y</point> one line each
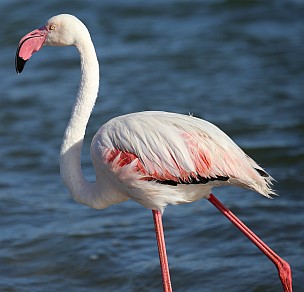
<point>70,153</point>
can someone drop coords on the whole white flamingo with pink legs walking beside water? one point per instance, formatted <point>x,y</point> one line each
<point>155,158</point>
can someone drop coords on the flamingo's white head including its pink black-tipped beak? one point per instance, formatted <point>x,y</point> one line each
<point>60,30</point>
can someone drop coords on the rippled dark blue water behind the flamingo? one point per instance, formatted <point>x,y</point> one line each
<point>238,64</point>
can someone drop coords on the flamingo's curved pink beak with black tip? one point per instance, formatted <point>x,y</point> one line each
<point>28,45</point>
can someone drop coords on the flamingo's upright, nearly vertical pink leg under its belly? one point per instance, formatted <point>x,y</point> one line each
<point>159,231</point>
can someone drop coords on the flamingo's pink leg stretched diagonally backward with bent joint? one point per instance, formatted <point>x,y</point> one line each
<point>283,267</point>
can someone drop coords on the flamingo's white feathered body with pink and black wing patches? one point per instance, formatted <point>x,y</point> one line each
<point>160,158</point>
